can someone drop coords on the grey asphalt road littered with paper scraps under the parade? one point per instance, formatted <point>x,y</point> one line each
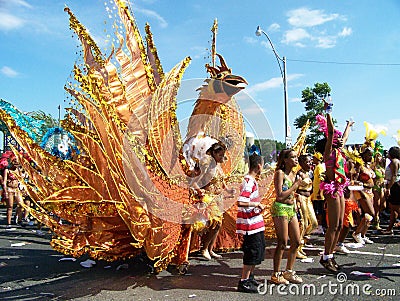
<point>31,270</point>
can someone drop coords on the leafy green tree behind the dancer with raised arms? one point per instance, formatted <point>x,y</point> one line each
<point>311,97</point>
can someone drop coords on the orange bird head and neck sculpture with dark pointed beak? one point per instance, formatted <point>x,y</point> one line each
<point>216,115</point>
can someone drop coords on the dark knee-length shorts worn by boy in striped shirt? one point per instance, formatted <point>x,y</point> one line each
<point>253,248</point>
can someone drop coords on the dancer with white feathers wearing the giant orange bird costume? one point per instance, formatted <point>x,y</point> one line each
<point>206,187</point>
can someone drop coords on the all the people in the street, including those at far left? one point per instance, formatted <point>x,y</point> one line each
<point>328,192</point>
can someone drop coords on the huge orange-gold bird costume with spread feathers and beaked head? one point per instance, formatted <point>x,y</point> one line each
<point>127,189</point>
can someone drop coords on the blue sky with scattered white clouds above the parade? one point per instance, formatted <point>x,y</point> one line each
<point>356,42</point>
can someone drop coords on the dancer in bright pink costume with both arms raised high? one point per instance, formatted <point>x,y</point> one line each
<point>334,184</point>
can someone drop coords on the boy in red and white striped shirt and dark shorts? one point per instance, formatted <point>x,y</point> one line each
<point>250,224</point>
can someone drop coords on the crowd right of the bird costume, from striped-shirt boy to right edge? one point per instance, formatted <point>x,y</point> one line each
<point>333,190</point>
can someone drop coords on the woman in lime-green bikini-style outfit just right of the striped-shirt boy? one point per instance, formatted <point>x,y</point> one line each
<point>284,216</point>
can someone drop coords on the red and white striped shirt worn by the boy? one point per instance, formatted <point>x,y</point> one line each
<point>249,219</point>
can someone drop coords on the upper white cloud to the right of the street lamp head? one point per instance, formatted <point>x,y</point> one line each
<point>304,17</point>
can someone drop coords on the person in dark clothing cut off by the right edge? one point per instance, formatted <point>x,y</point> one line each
<point>392,174</point>
